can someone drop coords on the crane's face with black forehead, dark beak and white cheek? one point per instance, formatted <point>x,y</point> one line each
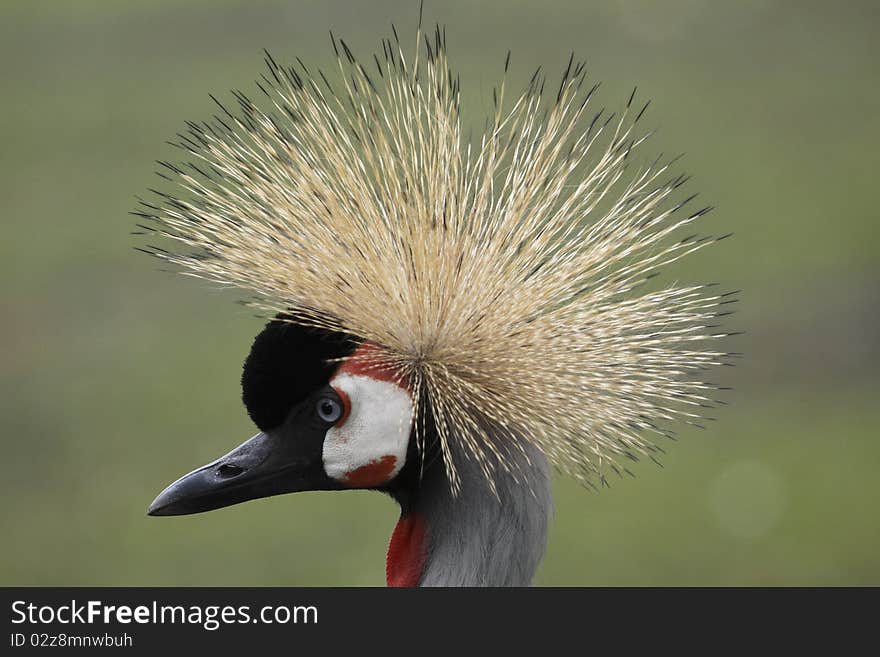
<point>336,427</point>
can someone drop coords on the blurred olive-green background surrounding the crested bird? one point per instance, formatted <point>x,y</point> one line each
<point>116,378</point>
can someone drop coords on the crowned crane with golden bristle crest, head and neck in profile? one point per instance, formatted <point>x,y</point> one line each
<point>451,315</point>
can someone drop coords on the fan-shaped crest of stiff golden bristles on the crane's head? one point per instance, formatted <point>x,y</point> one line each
<point>501,277</point>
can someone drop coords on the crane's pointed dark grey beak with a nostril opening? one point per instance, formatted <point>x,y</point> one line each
<point>263,466</point>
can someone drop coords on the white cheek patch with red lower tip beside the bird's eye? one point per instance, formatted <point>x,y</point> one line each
<point>369,448</point>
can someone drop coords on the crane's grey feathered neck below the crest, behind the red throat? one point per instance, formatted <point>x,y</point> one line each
<point>478,539</point>
